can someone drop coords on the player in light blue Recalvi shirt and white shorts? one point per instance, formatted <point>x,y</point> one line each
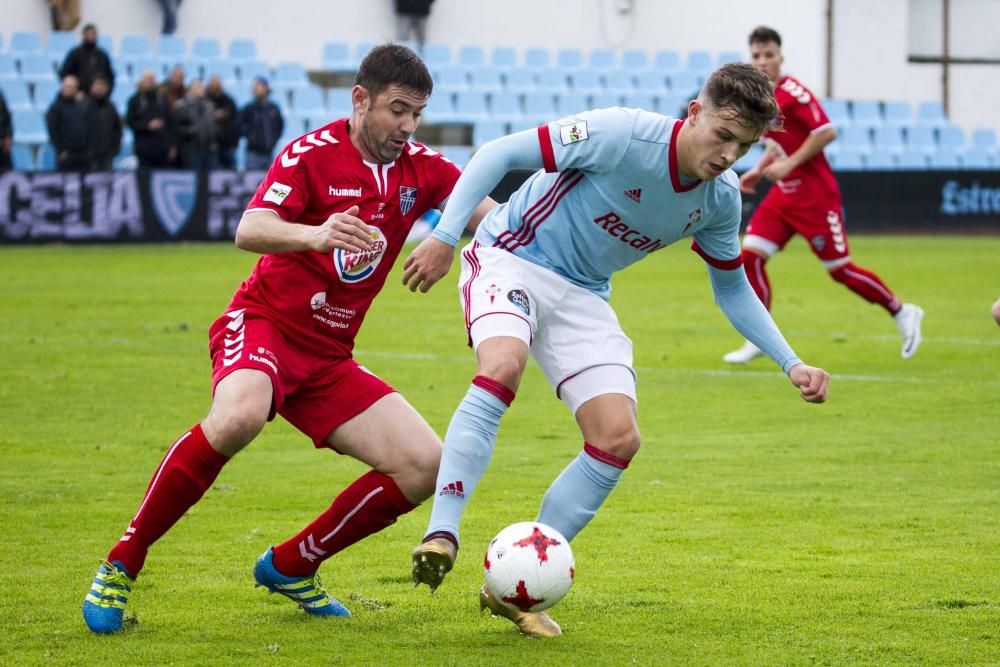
<point>614,186</point>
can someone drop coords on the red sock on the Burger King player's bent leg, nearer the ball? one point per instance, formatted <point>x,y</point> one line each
<point>372,502</point>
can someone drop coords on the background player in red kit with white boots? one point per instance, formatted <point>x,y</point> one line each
<point>805,199</point>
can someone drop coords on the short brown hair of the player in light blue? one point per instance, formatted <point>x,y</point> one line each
<point>741,91</point>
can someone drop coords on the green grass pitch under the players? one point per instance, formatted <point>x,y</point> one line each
<point>751,529</point>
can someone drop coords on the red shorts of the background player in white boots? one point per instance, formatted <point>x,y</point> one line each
<point>821,222</point>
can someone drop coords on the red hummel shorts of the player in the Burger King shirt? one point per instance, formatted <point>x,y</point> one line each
<point>315,395</point>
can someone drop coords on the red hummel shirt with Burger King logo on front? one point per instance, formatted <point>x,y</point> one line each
<point>318,299</point>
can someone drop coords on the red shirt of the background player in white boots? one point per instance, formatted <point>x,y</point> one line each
<point>803,116</point>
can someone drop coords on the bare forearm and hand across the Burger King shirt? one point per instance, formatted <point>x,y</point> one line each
<point>264,232</point>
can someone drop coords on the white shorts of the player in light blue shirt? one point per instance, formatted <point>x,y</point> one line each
<point>573,334</point>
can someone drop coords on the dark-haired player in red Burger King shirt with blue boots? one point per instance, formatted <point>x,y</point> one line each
<point>330,218</point>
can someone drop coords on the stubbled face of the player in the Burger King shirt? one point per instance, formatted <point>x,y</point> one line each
<point>388,121</point>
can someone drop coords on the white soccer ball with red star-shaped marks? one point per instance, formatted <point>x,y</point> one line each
<point>529,566</point>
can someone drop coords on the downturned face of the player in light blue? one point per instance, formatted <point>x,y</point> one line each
<point>717,141</point>
